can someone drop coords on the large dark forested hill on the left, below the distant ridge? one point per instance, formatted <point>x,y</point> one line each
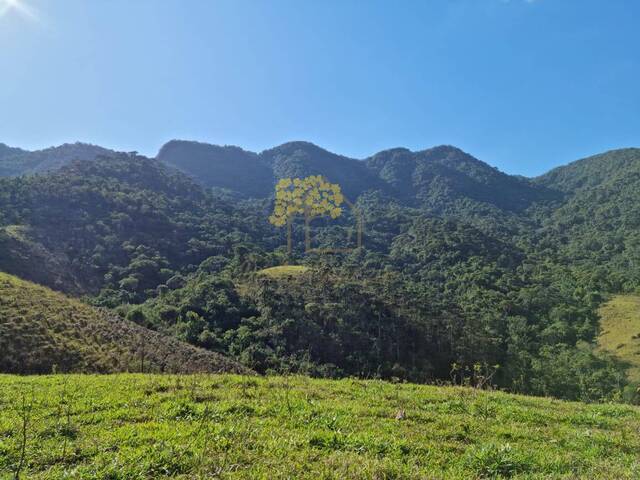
<point>124,222</point>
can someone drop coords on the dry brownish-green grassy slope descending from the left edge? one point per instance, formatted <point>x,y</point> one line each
<point>42,331</point>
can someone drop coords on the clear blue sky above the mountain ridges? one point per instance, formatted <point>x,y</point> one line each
<point>524,85</point>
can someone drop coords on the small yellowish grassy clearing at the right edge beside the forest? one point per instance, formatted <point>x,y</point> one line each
<point>620,334</point>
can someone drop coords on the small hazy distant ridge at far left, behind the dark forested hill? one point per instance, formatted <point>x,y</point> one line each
<point>15,161</point>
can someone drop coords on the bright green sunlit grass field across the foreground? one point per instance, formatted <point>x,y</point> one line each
<point>137,426</point>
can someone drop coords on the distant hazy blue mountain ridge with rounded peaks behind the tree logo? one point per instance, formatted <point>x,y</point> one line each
<point>430,178</point>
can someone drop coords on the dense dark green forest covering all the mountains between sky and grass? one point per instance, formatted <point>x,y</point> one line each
<point>466,274</point>
